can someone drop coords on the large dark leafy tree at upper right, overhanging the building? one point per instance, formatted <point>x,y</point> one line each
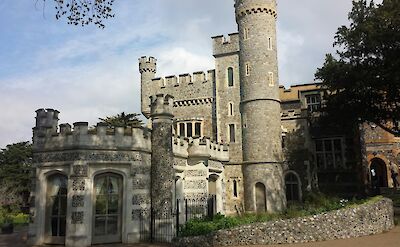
<point>362,82</point>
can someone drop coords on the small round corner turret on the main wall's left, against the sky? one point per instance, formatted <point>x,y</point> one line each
<point>147,69</point>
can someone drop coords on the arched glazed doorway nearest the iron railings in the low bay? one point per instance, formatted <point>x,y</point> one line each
<point>107,208</point>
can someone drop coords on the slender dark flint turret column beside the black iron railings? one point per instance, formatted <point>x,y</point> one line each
<point>162,159</point>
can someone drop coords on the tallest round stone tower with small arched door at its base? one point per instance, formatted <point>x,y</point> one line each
<point>260,106</point>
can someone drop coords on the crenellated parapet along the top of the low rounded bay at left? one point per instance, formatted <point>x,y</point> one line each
<point>100,137</point>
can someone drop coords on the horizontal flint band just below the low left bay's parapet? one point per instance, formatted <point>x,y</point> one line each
<point>88,156</point>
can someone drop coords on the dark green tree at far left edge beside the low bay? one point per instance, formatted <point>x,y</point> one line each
<point>15,170</point>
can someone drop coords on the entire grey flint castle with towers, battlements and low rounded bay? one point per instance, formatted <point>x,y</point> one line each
<point>231,132</point>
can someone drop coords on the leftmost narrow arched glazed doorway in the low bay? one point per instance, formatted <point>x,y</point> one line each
<point>56,209</point>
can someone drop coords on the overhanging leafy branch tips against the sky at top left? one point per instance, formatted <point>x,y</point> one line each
<point>83,12</point>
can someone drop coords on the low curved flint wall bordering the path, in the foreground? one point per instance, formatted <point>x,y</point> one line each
<point>366,219</point>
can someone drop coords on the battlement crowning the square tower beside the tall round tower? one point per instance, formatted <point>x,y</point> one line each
<point>225,45</point>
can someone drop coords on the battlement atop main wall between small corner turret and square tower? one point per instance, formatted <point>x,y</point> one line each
<point>184,79</point>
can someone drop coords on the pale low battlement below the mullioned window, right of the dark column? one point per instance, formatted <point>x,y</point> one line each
<point>202,148</point>
